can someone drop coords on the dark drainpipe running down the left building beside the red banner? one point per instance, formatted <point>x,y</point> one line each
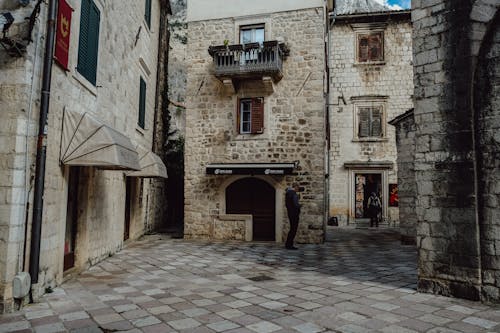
<point>41,154</point>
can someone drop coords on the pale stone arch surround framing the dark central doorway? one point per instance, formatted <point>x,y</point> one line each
<point>279,188</point>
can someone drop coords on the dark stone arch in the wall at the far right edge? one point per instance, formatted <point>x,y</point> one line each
<point>486,109</point>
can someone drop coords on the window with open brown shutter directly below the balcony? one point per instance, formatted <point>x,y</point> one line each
<point>251,116</point>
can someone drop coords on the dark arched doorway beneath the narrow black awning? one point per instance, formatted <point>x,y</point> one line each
<point>256,197</point>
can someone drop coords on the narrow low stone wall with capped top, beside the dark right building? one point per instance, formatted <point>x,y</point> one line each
<point>405,140</point>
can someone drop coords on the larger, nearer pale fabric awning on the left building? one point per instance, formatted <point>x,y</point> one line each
<point>86,141</point>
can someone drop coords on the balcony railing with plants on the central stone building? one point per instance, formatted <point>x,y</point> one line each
<point>249,60</point>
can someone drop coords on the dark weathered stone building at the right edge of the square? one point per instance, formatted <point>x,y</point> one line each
<point>456,142</point>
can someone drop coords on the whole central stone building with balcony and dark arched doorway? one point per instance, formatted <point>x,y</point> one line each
<point>255,118</point>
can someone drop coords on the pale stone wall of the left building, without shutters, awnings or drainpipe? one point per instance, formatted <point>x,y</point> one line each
<point>128,49</point>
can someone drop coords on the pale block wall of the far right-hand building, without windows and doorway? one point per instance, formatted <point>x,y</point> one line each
<point>393,80</point>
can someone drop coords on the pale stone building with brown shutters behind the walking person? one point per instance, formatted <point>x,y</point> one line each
<point>371,82</point>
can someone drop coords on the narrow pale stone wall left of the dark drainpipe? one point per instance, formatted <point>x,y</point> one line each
<point>19,104</point>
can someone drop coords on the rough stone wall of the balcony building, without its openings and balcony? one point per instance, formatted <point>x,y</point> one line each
<point>294,120</point>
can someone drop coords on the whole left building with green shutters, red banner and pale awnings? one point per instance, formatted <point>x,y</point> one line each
<point>101,97</point>
